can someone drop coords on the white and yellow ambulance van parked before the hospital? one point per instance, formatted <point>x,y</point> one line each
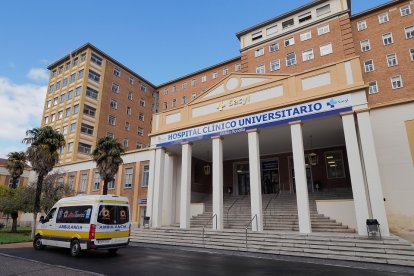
<point>85,222</point>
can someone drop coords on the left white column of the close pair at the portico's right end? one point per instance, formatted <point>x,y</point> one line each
<point>355,170</point>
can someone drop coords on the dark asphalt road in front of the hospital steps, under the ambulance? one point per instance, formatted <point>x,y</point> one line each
<point>163,261</point>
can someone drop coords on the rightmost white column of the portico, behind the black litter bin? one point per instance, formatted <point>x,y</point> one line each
<point>372,171</point>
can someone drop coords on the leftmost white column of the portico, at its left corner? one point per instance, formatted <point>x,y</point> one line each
<point>158,188</point>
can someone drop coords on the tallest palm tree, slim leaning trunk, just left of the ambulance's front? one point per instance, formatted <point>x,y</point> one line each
<point>43,156</point>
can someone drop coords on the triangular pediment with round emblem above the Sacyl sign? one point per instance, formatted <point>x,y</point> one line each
<point>235,83</point>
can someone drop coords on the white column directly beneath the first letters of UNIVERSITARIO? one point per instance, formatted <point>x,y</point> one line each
<point>255,179</point>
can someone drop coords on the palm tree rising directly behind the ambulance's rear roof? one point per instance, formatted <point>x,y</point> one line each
<point>107,156</point>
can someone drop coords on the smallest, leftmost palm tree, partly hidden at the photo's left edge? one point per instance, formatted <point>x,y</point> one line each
<point>16,162</point>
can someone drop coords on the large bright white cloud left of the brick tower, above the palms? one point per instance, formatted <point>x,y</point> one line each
<point>21,107</point>
